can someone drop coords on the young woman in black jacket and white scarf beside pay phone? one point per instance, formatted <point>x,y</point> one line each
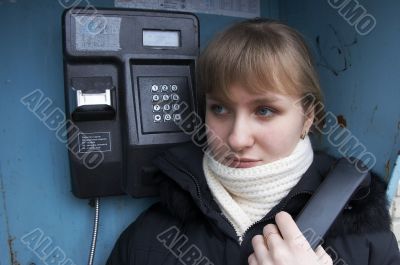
<point>234,202</point>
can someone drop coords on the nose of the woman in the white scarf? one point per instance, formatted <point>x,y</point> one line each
<point>241,135</point>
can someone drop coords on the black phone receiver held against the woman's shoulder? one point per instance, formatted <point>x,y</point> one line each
<point>330,199</point>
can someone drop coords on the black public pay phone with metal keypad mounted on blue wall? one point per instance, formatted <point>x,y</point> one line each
<point>129,86</point>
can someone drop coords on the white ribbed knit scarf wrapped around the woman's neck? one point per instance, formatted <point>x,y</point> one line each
<point>245,195</point>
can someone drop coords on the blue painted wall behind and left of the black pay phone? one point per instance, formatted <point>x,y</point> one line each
<point>35,188</point>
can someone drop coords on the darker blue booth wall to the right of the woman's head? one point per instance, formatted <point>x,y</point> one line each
<point>359,73</point>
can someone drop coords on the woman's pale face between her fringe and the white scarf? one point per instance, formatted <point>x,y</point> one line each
<point>257,128</point>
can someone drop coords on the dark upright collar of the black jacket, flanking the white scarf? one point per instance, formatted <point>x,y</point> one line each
<point>183,165</point>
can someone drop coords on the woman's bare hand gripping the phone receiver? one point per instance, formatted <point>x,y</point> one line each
<point>284,244</point>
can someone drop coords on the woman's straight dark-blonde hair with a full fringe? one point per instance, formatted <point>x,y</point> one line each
<point>262,55</point>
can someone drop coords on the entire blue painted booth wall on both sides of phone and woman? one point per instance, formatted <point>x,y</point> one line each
<point>34,177</point>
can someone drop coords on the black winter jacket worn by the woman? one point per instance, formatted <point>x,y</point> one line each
<point>187,226</point>
